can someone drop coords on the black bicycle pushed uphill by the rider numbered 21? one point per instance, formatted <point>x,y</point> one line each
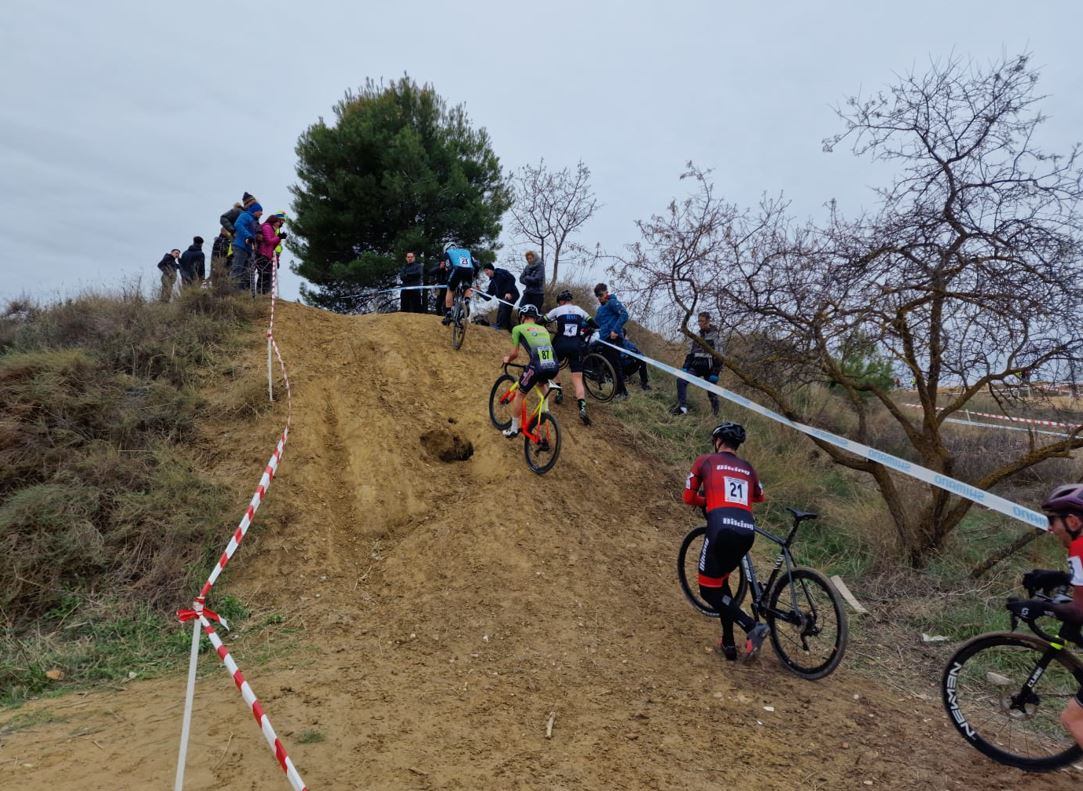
<point>800,605</point>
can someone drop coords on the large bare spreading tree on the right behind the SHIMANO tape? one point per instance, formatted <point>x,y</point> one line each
<point>968,277</point>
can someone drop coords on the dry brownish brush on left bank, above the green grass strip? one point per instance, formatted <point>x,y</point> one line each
<point>99,496</point>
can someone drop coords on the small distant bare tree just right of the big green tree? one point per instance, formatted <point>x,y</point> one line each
<point>550,206</point>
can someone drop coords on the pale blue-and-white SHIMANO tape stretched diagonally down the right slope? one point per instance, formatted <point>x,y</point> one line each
<point>994,502</point>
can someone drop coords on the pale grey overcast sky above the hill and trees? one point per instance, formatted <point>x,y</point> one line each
<point>126,128</point>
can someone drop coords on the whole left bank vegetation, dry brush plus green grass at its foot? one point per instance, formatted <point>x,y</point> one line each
<point>106,514</point>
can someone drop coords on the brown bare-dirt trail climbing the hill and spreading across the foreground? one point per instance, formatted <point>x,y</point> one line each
<point>448,608</point>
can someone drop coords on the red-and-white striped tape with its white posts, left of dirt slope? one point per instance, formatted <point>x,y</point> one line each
<point>203,617</point>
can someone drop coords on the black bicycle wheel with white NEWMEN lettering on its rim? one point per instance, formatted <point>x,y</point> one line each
<point>987,699</point>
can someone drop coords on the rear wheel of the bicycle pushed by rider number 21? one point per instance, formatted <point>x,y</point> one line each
<point>808,624</point>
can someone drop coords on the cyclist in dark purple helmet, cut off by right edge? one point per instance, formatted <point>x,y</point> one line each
<point>1065,511</point>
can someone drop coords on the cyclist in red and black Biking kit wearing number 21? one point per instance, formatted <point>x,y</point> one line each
<point>727,486</point>
